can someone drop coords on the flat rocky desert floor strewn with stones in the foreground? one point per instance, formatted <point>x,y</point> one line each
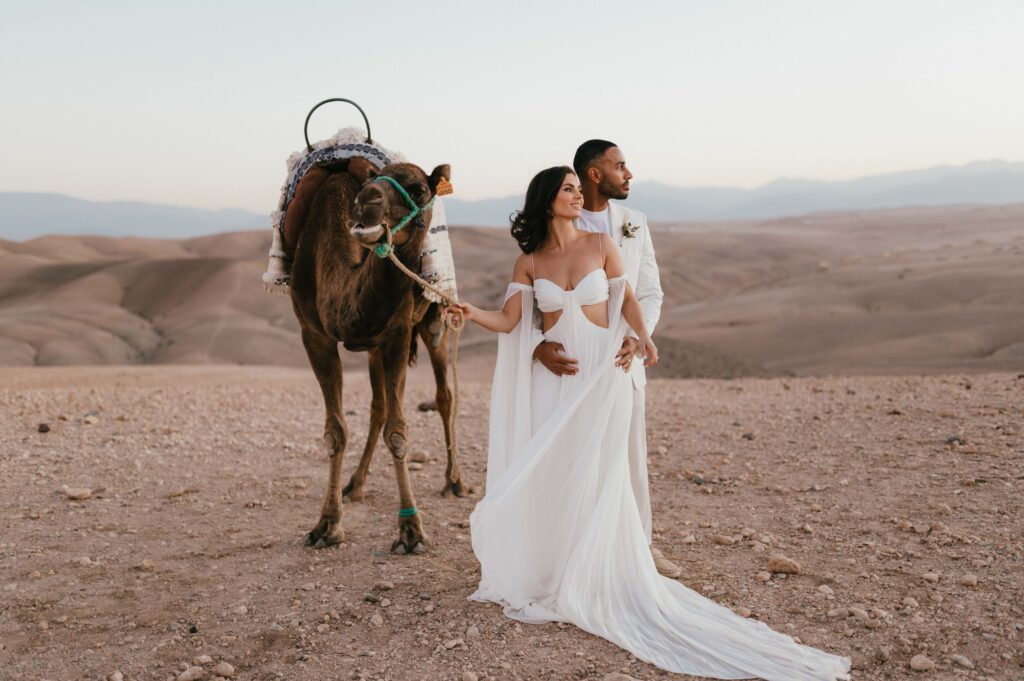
<point>155,531</point>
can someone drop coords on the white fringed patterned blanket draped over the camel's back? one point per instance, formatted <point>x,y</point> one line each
<point>437,264</point>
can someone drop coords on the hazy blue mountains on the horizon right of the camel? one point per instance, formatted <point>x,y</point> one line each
<point>980,183</point>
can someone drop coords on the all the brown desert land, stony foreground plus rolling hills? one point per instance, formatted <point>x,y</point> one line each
<point>844,390</point>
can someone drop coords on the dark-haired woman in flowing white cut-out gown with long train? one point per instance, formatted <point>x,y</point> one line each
<point>559,533</point>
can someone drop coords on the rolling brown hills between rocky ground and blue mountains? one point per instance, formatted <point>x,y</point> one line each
<point>914,290</point>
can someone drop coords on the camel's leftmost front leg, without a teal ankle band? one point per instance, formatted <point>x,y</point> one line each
<point>323,353</point>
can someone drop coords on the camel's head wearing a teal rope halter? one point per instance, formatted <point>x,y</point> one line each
<point>382,205</point>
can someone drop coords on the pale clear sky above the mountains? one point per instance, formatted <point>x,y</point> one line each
<point>199,104</point>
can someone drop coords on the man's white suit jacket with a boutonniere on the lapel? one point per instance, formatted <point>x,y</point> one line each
<point>642,272</point>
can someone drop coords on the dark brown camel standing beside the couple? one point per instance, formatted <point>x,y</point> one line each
<point>344,293</point>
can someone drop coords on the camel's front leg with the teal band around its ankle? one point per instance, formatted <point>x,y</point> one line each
<point>395,355</point>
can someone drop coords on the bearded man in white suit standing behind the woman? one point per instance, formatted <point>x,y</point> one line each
<point>604,176</point>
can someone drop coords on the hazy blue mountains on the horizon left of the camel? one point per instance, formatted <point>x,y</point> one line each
<point>27,216</point>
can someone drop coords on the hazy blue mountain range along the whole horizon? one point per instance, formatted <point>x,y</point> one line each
<point>25,216</point>
